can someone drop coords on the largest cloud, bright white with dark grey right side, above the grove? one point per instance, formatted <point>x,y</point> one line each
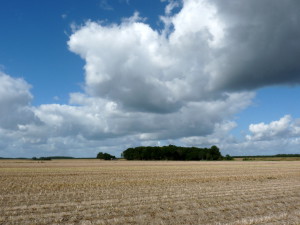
<point>213,47</point>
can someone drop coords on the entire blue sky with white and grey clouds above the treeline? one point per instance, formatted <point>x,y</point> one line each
<point>79,77</point>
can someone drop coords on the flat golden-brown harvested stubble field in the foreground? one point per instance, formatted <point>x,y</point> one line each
<point>149,192</point>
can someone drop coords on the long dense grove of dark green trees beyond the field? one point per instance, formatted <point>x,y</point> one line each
<point>172,152</point>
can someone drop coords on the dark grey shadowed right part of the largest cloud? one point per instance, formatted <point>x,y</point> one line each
<point>261,44</point>
